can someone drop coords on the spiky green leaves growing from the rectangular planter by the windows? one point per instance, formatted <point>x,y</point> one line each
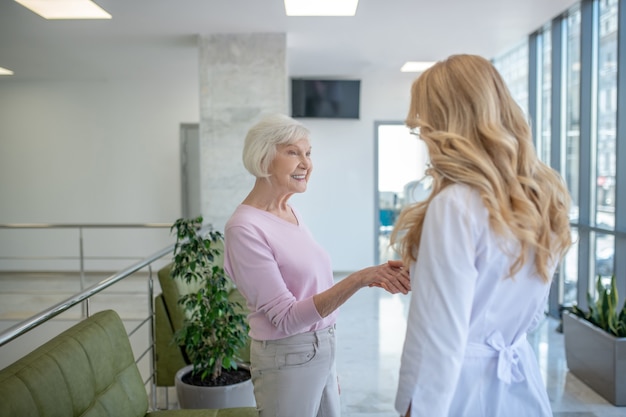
<point>603,309</point>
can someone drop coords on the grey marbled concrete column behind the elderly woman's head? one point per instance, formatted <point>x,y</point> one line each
<point>242,76</point>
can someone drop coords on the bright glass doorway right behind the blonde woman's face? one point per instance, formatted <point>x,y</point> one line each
<point>400,161</point>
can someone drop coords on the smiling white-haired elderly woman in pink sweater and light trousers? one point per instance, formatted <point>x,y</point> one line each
<point>287,278</point>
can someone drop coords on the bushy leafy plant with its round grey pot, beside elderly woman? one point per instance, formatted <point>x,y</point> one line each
<point>214,328</point>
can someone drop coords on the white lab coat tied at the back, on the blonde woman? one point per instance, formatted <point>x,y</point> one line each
<point>465,352</point>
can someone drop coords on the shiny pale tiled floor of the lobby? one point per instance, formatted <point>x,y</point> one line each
<point>370,334</point>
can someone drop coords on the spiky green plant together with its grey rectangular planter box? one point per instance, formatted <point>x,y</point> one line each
<point>595,343</point>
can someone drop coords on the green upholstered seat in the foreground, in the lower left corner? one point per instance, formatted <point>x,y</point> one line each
<point>89,371</point>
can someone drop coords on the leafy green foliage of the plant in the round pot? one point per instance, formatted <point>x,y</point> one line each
<point>214,330</point>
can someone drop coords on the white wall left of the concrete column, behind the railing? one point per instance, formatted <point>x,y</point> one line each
<point>103,151</point>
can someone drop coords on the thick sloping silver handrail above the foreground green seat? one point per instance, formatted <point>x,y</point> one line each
<point>34,321</point>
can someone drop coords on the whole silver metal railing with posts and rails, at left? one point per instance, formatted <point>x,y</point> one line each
<point>85,295</point>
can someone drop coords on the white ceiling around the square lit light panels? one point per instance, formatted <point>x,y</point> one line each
<point>149,36</point>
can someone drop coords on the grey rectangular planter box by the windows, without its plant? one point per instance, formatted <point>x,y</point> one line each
<point>596,357</point>
